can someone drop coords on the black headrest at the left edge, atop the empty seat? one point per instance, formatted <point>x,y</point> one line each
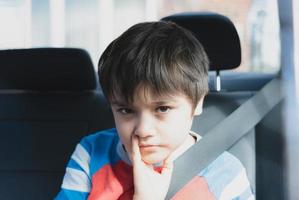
<point>46,69</point>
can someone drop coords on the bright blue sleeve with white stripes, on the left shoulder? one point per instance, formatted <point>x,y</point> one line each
<point>92,153</point>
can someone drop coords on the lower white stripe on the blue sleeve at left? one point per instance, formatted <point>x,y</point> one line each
<point>77,180</point>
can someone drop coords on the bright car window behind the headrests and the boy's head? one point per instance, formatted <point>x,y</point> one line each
<point>92,25</point>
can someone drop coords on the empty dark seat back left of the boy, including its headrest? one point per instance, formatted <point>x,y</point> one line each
<point>49,100</point>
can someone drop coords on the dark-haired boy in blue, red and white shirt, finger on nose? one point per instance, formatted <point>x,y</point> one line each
<point>155,78</point>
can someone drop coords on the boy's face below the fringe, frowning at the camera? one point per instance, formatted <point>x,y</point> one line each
<point>161,123</point>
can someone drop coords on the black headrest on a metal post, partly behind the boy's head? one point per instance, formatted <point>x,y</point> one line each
<point>216,33</point>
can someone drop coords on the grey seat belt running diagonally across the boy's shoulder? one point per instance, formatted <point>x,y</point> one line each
<point>224,135</point>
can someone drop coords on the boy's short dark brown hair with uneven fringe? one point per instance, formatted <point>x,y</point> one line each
<point>159,55</point>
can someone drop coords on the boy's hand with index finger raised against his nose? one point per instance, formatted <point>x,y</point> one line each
<point>148,183</point>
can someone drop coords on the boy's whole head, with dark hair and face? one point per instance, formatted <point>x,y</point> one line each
<point>155,76</point>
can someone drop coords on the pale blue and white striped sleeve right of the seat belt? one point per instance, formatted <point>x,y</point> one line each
<point>227,179</point>
